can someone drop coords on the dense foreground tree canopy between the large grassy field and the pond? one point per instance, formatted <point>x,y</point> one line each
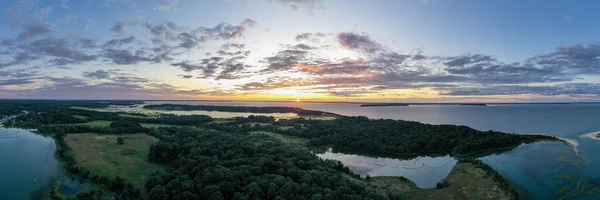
<point>206,164</point>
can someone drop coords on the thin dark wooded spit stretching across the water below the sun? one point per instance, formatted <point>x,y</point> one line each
<point>247,109</point>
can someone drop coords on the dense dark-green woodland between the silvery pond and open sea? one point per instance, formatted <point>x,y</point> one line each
<point>397,137</point>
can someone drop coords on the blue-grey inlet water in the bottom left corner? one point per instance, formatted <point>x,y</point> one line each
<point>25,156</point>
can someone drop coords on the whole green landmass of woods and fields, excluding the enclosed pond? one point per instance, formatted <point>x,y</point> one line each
<point>166,156</point>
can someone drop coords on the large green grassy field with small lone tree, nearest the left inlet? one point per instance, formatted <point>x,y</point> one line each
<point>101,154</point>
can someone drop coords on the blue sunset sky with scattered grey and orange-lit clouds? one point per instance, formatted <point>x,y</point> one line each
<point>308,50</point>
